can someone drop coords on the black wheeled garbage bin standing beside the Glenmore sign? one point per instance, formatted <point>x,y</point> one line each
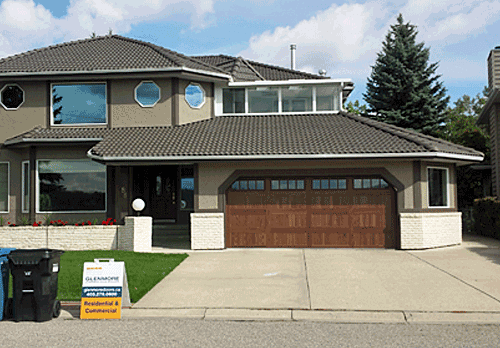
<point>35,274</point>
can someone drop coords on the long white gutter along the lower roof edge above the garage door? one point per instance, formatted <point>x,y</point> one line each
<point>283,157</point>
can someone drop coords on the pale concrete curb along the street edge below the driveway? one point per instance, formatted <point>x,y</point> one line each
<point>72,311</point>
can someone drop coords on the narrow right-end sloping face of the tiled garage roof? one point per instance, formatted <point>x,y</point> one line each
<point>406,134</point>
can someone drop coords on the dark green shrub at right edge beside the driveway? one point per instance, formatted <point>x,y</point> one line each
<point>487,217</point>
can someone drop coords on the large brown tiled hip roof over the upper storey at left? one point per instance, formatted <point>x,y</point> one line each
<point>103,53</point>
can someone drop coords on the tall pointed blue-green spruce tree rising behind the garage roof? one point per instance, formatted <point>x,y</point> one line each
<point>403,88</point>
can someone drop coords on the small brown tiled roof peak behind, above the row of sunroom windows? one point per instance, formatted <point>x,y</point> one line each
<point>268,72</point>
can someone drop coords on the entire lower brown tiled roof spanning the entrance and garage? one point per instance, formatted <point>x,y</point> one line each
<point>340,135</point>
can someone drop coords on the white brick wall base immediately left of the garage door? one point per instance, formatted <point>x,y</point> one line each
<point>207,231</point>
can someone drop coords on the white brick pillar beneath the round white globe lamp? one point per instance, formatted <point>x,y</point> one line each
<point>137,234</point>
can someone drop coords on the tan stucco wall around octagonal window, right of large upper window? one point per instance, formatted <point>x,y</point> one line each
<point>125,111</point>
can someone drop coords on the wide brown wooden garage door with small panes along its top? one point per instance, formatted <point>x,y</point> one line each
<point>331,212</point>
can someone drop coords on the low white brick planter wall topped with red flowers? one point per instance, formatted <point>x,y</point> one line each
<point>62,237</point>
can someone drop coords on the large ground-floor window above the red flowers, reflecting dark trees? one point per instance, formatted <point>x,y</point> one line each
<point>71,186</point>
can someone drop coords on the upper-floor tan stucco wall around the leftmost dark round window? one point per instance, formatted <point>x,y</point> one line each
<point>32,113</point>
